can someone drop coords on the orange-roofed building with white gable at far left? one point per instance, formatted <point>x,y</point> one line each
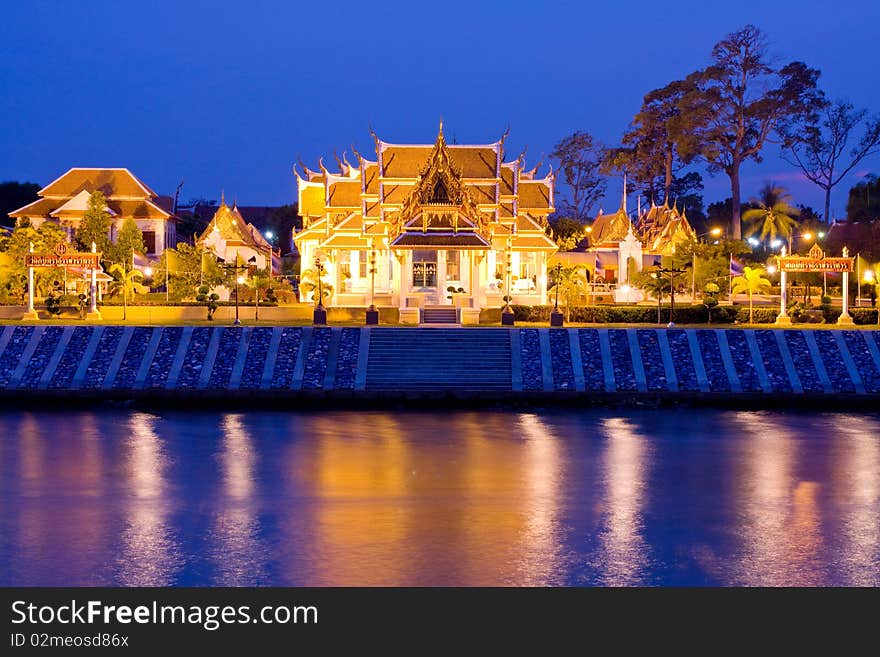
<point>66,199</point>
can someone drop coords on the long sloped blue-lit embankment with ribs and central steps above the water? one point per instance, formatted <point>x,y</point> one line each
<point>289,363</point>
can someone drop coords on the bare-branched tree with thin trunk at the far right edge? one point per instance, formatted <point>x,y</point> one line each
<point>818,146</point>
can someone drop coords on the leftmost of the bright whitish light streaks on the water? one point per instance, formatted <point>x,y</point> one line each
<point>149,554</point>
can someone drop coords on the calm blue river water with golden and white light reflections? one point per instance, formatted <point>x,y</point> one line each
<point>599,497</point>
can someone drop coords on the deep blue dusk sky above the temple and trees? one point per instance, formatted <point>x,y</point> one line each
<point>228,94</point>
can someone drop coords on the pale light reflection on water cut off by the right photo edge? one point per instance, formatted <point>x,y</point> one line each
<point>856,457</point>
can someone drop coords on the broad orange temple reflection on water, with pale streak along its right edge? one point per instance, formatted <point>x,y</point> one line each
<point>472,500</point>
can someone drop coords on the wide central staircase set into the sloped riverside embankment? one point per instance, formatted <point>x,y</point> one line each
<point>439,359</point>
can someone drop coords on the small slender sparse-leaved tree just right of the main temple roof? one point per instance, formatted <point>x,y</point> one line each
<point>579,157</point>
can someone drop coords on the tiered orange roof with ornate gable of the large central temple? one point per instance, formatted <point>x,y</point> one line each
<point>427,196</point>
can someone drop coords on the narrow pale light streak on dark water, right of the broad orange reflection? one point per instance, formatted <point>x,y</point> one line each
<point>624,464</point>
